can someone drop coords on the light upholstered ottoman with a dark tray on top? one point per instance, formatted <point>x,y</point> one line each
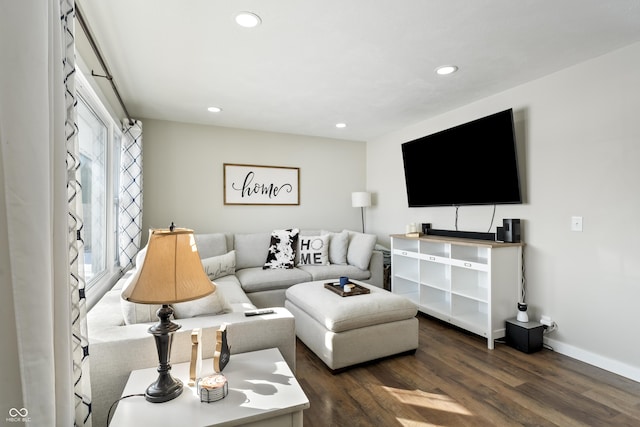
<point>344,331</point>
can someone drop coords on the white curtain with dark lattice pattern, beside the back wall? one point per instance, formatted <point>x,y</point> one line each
<point>130,218</point>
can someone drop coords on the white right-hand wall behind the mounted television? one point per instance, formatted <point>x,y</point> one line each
<point>580,129</point>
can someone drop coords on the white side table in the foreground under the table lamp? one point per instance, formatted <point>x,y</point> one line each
<point>262,392</point>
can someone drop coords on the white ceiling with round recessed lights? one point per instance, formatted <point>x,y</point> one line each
<point>314,63</point>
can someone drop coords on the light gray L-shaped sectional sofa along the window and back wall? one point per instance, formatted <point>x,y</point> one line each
<point>119,341</point>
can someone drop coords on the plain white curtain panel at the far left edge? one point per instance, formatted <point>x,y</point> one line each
<point>34,213</point>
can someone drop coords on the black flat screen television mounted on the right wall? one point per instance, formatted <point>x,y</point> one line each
<point>475,163</point>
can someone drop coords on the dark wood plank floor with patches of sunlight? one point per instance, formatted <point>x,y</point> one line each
<point>454,380</point>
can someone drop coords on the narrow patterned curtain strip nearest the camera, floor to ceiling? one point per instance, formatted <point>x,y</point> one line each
<point>79,336</point>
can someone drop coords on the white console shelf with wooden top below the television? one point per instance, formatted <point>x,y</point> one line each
<point>472,284</point>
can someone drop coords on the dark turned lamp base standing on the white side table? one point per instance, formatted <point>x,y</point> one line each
<point>166,387</point>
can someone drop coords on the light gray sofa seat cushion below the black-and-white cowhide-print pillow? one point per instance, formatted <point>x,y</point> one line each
<point>257,279</point>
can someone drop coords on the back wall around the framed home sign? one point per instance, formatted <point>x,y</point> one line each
<point>183,178</point>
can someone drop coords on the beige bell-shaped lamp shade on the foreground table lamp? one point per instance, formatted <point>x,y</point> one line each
<point>172,271</point>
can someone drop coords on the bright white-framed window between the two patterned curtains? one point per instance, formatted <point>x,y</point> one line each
<point>99,138</point>
